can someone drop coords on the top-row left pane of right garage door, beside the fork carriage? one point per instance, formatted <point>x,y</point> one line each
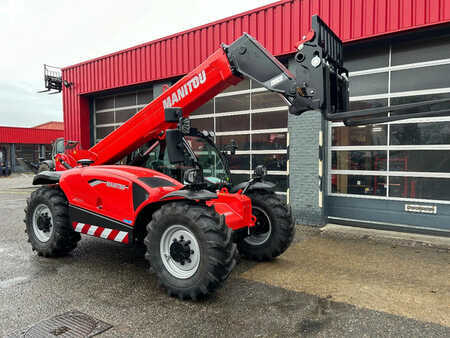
<point>366,56</point>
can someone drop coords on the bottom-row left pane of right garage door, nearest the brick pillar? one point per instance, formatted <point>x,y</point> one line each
<point>358,185</point>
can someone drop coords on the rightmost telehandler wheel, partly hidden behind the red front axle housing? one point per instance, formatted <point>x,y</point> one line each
<point>274,229</point>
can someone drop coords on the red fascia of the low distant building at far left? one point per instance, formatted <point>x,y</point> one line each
<point>29,135</point>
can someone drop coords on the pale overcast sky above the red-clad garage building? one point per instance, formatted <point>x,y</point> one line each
<point>64,32</point>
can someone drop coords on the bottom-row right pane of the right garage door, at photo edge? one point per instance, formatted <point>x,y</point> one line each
<point>420,187</point>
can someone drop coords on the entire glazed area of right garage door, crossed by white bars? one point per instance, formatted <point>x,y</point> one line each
<point>407,159</point>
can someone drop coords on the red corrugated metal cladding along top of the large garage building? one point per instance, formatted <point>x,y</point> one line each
<point>277,26</point>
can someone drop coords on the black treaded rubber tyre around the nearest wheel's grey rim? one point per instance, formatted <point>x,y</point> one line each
<point>217,250</point>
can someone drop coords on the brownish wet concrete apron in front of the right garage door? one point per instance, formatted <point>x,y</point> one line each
<point>406,281</point>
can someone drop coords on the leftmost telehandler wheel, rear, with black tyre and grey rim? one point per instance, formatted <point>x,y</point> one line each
<point>47,223</point>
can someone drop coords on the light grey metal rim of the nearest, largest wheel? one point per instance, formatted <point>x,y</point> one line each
<point>180,251</point>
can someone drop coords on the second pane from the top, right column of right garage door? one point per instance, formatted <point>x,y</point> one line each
<point>420,78</point>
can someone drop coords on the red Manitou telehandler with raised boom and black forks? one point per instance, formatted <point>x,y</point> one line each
<point>175,193</point>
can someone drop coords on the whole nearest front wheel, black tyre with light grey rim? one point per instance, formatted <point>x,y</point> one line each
<point>189,247</point>
